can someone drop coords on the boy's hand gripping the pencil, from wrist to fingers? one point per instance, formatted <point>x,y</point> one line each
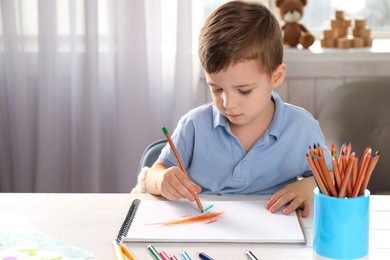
<point>174,184</point>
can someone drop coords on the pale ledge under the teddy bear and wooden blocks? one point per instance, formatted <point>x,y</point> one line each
<point>333,62</point>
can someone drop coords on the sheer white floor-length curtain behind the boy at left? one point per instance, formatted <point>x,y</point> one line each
<point>85,86</point>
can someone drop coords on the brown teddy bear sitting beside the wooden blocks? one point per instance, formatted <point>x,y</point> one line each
<point>294,33</point>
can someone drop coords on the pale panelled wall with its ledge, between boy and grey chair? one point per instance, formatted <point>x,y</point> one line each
<point>312,74</point>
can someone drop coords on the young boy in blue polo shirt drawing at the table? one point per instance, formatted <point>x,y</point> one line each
<point>247,141</point>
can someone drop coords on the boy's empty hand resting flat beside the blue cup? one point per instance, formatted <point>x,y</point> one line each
<point>297,195</point>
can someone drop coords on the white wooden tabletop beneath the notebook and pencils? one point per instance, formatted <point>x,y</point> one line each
<point>92,221</point>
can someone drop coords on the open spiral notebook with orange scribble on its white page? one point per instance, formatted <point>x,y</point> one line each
<point>223,221</point>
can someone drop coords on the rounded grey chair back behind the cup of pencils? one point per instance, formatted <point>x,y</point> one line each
<point>359,112</point>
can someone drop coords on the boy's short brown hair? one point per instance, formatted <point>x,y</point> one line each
<point>238,31</point>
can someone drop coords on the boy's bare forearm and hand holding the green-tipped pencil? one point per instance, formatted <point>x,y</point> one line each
<point>171,182</point>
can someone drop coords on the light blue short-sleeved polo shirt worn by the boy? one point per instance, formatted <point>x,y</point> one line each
<point>215,159</point>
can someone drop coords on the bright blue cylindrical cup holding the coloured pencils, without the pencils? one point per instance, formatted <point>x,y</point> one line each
<point>341,226</point>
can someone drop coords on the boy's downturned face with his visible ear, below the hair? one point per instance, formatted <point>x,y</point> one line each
<point>242,92</point>
